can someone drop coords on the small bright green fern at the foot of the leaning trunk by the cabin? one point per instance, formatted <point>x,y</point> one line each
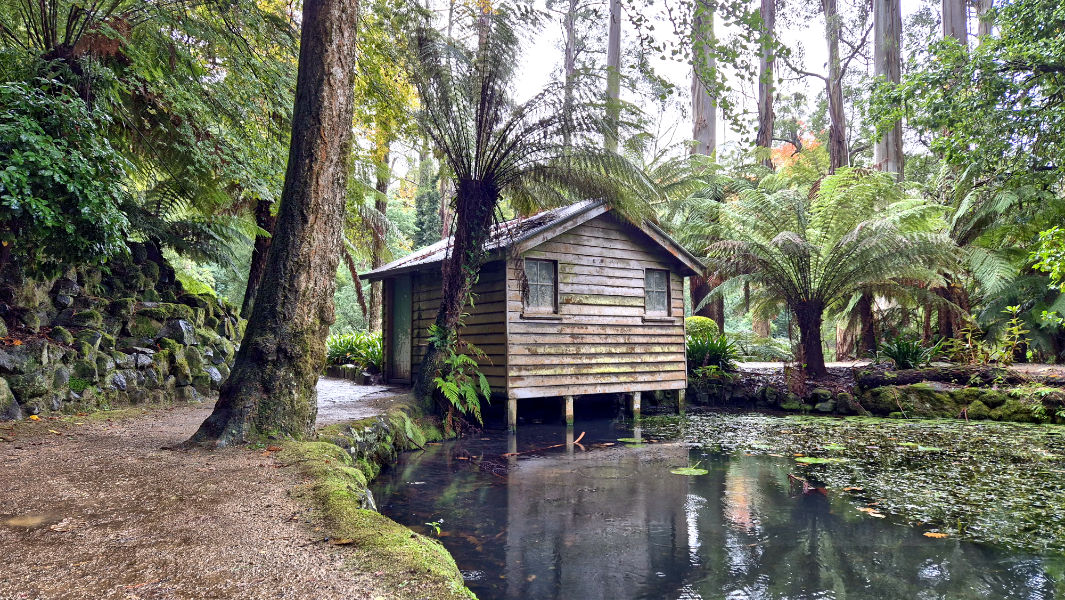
<point>460,380</point>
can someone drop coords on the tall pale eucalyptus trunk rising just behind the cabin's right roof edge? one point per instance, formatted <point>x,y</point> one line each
<point>704,134</point>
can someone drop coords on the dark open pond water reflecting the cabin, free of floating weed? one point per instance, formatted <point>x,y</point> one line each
<point>612,522</point>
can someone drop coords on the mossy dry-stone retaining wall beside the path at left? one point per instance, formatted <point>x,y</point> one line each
<point>94,340</point>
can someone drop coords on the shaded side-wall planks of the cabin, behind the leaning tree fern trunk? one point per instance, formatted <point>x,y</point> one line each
<point>485,326</point>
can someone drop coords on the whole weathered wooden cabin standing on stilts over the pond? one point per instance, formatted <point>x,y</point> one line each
<point>599,309</point>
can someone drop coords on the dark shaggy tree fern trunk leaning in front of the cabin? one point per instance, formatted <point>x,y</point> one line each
<point>474,204</point>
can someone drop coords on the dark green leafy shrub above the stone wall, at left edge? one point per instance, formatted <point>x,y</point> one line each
<point>62,182</point>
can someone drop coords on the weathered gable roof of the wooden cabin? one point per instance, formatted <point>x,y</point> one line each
<point>523,233</point>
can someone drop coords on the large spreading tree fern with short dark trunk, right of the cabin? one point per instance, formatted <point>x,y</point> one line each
<point>811,250</point>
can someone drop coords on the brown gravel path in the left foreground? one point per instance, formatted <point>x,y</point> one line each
<point>100,511</point>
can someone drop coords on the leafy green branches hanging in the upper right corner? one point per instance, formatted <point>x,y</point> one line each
<point>1002,102</point>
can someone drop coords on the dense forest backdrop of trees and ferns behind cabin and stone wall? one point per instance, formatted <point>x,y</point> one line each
<point>784,142</point>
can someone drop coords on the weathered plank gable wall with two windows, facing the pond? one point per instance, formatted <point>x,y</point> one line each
<point>603,339</point>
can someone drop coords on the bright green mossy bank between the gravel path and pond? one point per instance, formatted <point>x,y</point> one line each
<point>338,467</point>
